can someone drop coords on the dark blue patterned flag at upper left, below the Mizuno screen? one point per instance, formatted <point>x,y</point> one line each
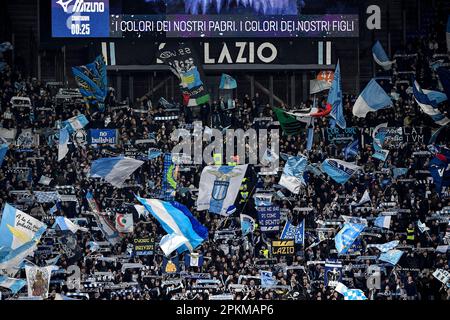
<point>92,81</point>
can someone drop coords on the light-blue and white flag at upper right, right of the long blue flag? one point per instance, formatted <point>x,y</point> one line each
<point>373,98</point>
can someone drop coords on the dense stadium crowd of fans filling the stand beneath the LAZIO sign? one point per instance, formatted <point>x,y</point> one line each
<point>232,260</point>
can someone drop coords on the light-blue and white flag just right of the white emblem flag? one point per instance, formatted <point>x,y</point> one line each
<point>292,178</point>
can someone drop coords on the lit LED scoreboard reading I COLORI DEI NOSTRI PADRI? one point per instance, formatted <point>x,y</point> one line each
<point>184,18</point>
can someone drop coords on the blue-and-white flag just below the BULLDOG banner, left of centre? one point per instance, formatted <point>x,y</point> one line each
<point>115,170</point>
